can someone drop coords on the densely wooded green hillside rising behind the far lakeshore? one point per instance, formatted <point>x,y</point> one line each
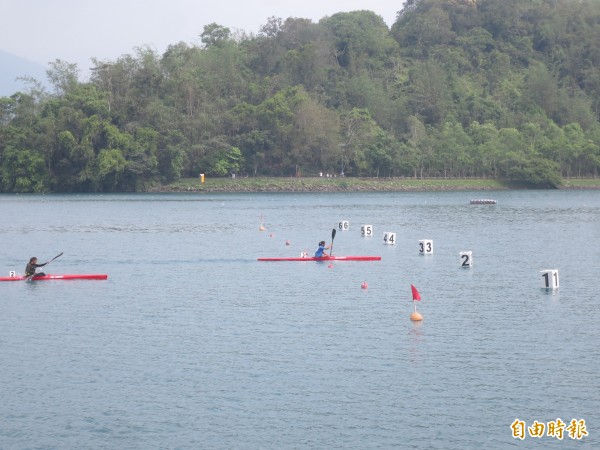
<point>506,89</point>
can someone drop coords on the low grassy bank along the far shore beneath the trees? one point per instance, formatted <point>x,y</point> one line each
<point>318,184</point>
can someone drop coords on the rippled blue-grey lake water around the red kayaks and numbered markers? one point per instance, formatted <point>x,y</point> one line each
<point>193,344</point>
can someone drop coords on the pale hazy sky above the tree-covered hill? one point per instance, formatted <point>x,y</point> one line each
<point>77,30</point>
